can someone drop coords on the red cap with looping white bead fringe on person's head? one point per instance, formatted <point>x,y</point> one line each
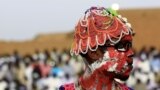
<point>96,27</point>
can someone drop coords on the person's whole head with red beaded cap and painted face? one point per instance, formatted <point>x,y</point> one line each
<point>104,39</point>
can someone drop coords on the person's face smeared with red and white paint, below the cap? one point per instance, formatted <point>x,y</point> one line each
<point>113,59</point>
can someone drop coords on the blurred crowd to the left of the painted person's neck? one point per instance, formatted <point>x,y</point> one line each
<point>39,71</point>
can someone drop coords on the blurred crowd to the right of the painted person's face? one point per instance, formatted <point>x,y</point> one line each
<point>146,72</point>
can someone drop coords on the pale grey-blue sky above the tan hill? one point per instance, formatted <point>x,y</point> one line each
<point>23,19</point>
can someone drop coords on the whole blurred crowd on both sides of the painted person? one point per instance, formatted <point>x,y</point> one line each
<point>47,70</point>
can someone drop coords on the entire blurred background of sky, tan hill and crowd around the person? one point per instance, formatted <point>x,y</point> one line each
<point>36,36</point>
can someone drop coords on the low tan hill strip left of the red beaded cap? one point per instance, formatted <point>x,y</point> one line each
<point>40,42</point>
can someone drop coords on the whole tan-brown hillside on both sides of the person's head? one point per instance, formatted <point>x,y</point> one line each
<point>146,24</point>
